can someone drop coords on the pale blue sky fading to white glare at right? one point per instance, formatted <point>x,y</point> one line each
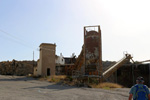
<point>25,24</point>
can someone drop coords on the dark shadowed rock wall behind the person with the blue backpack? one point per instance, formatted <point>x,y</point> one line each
<point>127,74</point>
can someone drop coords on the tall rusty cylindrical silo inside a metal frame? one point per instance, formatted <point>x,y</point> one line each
<point>92,50</point>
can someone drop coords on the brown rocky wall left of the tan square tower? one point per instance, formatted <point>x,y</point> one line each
<point>19,68</point>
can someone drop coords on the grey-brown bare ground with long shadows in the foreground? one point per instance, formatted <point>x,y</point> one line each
<point>23,88</point>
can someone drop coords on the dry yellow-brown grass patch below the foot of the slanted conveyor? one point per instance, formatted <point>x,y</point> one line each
<point>107,85</point>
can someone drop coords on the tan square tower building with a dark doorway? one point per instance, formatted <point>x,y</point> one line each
<point>46,63</point>
